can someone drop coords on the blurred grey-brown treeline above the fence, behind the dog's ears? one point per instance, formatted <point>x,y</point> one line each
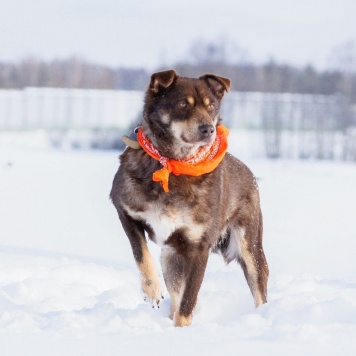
<point>269,77</point>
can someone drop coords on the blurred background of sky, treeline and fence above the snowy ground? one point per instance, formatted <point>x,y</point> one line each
<point>72,73</point>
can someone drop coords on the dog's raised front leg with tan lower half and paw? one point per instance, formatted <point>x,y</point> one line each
<point>150,282</point>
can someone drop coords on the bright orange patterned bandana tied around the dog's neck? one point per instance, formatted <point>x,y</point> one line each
<point>204,161</point>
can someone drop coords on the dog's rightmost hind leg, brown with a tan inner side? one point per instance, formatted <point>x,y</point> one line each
<point>253,262</point>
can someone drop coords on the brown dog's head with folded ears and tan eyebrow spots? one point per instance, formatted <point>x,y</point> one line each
<point>180,113</point>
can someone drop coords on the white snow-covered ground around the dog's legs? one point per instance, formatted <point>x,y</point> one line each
<point>69,285</point>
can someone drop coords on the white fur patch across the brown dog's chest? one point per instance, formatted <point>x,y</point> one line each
<point>164,222</point>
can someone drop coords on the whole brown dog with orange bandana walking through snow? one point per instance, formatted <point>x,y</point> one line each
<point>179,187</point>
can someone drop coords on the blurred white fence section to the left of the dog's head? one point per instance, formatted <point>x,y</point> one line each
<point>68,109</point>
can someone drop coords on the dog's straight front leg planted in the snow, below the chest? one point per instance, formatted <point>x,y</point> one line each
<point>183,271</point>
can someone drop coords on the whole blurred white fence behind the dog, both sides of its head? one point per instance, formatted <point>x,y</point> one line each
<point>309,126</point>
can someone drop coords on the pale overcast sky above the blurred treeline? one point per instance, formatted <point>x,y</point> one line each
<point>150,33</point>
